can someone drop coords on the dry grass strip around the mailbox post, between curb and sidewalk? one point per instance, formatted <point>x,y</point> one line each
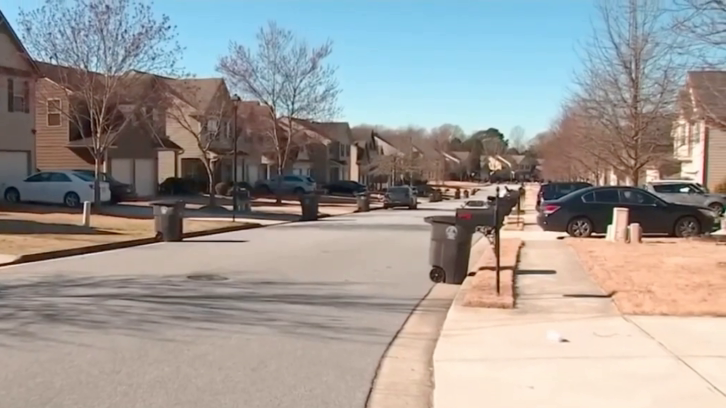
<point>481,291</point>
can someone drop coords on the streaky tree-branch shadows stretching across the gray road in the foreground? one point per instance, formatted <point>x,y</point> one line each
<point>154,306</point>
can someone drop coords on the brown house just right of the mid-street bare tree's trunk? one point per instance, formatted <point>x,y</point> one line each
<point>329,160</point>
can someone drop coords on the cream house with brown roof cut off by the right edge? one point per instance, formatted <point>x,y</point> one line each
<point>699,132</point>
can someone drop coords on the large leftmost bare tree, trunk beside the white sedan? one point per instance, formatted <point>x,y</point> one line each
<point>99,53</point>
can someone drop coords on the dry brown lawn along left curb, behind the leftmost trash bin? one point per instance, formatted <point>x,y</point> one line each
<point>24,233</point>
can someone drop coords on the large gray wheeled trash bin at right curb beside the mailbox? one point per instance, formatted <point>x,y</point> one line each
<point>449,249</point>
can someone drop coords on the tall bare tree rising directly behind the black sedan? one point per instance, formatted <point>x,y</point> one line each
<point>628,87</point>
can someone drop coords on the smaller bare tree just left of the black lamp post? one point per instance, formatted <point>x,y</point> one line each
<point>212,126</point>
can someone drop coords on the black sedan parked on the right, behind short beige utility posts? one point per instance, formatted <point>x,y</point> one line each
<point>590,211</point>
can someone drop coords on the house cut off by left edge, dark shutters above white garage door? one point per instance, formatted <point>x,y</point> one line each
<point>18,74</point>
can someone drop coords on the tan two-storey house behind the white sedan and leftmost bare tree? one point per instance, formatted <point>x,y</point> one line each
<point>62,129</point>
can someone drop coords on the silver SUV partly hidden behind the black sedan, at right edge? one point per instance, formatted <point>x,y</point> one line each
<point>687,192</point>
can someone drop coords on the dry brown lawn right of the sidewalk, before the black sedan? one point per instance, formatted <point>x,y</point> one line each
<point>660,276</point>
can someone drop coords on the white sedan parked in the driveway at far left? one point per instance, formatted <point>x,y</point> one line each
<point>65,187</point>
